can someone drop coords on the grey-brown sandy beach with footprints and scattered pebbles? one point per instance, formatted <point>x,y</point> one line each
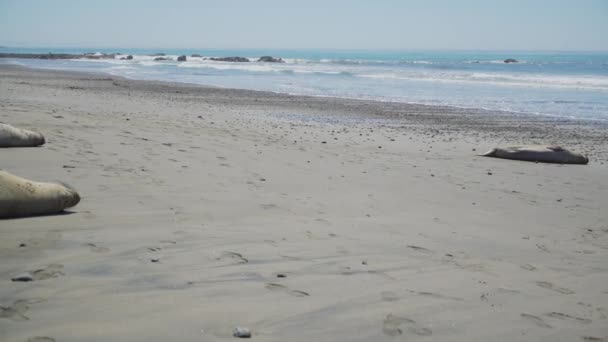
<point>300,218</point>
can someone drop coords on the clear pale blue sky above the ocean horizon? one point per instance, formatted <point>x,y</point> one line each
<point>327,24</point>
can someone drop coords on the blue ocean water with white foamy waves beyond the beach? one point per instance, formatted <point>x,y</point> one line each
<point>562,84</point>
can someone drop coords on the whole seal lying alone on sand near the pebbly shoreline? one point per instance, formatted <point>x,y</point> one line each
<point>539,153</point>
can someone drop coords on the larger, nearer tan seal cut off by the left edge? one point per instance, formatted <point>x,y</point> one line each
<point>22,197</point>
